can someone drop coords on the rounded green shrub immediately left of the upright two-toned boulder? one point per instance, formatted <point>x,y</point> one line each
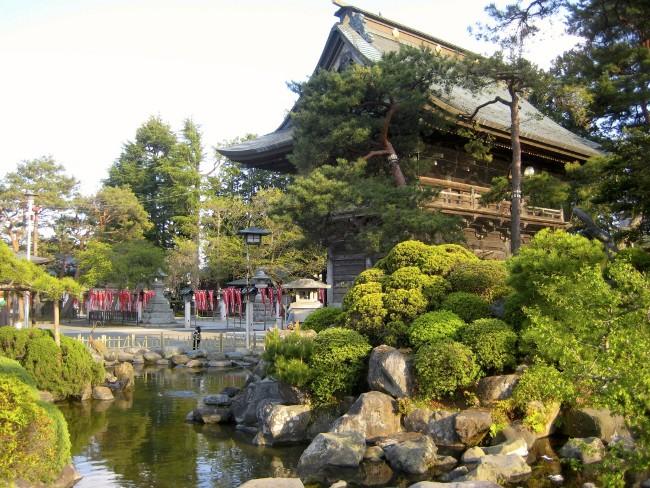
<point>338,364</point>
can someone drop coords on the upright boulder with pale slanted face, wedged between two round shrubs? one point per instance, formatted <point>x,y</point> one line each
<point>390,371</point>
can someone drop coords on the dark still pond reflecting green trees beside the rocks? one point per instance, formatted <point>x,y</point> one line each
<point>142,440</point>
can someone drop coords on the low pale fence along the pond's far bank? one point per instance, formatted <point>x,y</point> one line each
<point>216,342</point>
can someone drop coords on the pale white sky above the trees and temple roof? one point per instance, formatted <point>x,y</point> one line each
<point>80,76</point>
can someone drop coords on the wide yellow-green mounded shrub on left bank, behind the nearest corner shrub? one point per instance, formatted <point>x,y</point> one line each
<point>64,371</point>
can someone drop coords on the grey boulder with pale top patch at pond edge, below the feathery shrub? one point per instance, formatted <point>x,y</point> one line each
<point>282,424</point>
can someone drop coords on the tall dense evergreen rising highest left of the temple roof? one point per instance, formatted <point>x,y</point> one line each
<point>163,173</point>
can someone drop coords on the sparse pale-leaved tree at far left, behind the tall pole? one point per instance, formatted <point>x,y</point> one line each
<point>54,193</point>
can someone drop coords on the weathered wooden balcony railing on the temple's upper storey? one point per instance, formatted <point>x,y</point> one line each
<point>465,199</point>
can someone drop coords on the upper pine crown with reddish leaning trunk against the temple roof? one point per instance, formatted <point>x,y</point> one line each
<point>380,110</point>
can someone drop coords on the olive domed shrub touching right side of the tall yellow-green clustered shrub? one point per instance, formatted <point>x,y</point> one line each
<point>484,278</point>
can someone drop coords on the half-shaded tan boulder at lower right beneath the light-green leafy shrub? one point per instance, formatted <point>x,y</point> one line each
<point>592,422</point>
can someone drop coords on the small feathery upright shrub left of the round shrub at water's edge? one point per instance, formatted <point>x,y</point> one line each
<point>288,357</point>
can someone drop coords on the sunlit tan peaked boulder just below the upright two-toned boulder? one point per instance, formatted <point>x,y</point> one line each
<point>373,415</point>
